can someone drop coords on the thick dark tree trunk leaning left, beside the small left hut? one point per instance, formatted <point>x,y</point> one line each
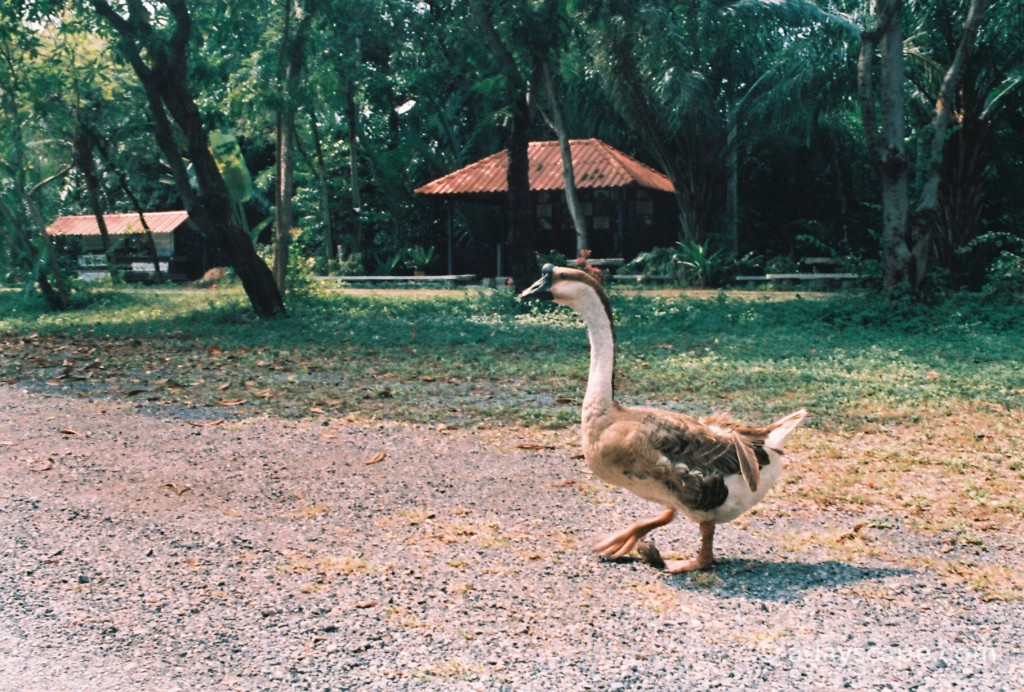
<point>158,53</point>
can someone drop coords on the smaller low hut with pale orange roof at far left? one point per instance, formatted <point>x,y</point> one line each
<point>181,252</point>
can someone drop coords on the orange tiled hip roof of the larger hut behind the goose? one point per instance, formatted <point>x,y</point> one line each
<point>595,165</point>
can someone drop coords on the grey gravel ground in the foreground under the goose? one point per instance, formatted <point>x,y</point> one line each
<point>147,550</point>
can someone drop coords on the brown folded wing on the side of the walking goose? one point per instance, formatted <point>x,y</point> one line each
<point>694,459</point>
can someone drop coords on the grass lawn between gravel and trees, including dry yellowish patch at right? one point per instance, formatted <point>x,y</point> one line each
<point>916,412</point>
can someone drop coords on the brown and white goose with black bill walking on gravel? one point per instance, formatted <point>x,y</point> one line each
<point>711,470</point>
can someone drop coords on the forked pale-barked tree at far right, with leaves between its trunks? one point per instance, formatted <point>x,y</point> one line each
<point>951,41</point>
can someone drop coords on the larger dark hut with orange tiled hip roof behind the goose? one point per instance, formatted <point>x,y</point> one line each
<point>629,207</point>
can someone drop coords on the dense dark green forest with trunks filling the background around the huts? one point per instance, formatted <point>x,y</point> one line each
<point>889,134</point>
